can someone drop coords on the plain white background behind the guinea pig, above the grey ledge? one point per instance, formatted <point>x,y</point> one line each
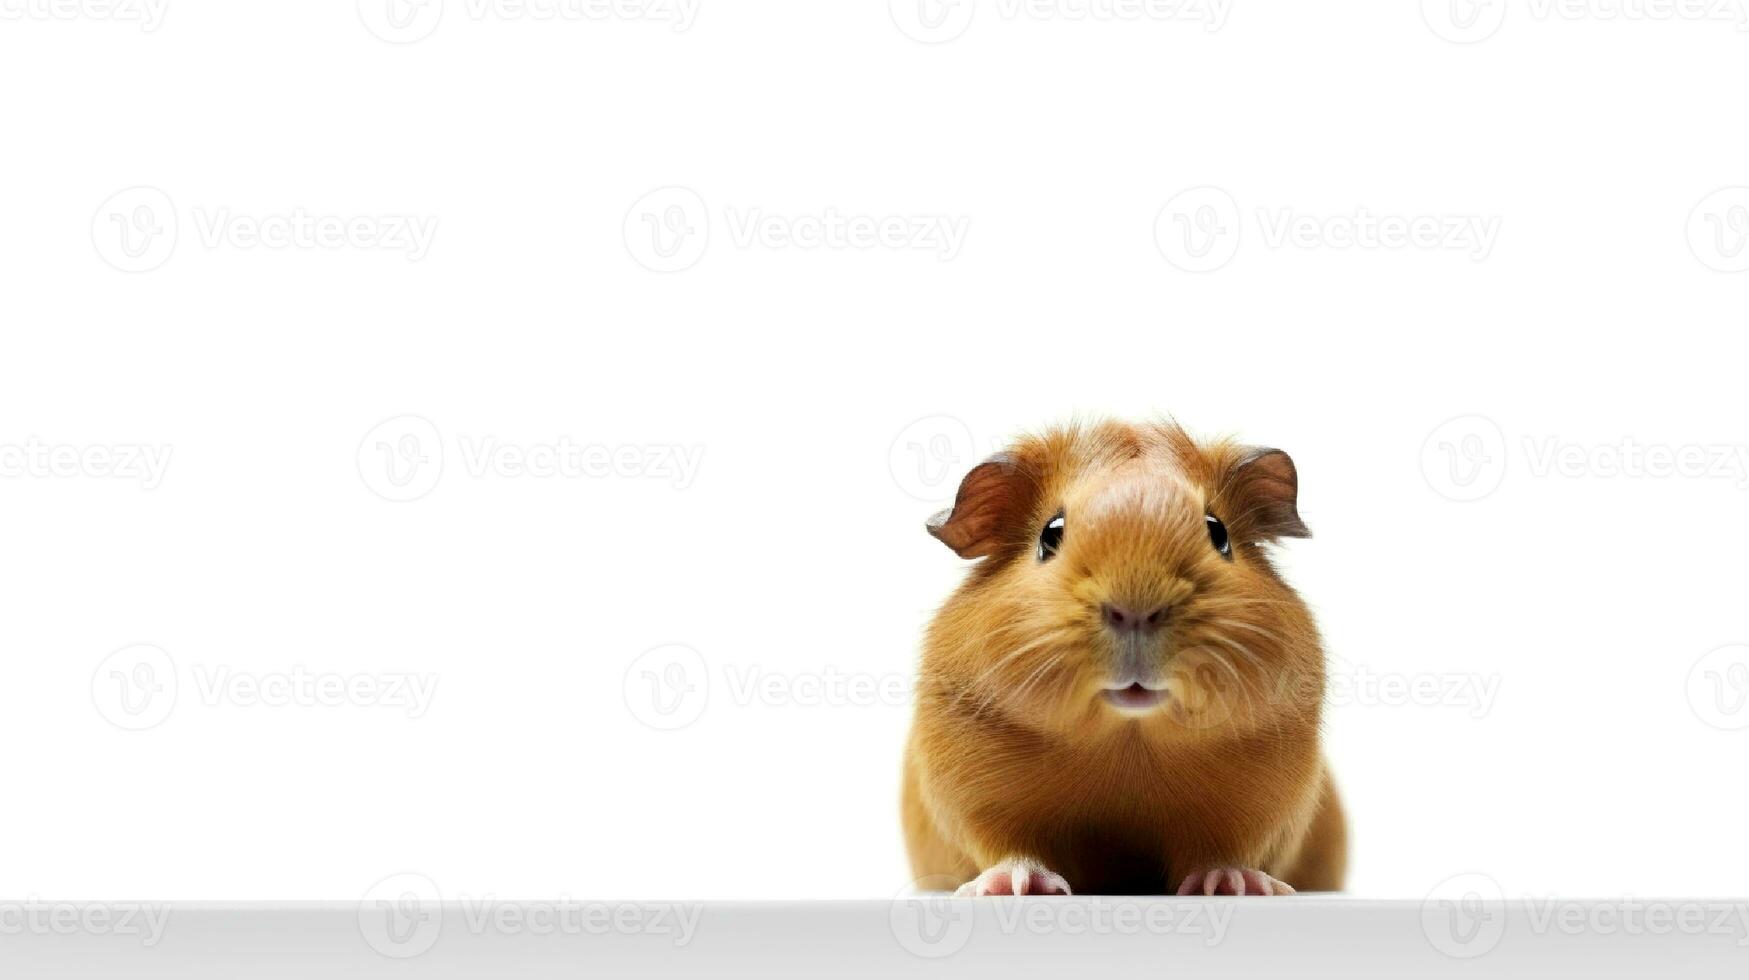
<point>835,396</point>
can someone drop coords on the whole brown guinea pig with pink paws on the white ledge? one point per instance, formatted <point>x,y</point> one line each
<point>1124,696</point>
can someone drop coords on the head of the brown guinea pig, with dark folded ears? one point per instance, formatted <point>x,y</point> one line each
<point>1124,582</point>
